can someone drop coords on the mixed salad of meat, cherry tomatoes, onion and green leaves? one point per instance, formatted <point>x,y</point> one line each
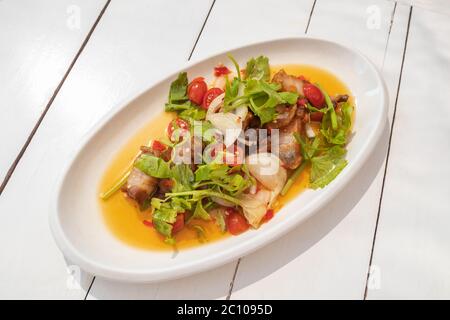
<point>234,147</point>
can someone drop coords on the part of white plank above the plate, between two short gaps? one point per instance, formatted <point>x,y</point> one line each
<point>235,23</point>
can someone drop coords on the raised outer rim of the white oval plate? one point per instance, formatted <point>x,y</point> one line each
<point>232,253</point>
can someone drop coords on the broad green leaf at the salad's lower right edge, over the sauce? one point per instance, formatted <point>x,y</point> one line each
<point>327,166</point>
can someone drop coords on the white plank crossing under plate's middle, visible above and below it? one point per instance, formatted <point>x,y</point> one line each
<point>215,283</point>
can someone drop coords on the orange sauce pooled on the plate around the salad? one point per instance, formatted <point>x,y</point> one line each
<point>125,220</point>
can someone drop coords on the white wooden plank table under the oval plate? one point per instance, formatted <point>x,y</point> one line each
<point>66,63</point>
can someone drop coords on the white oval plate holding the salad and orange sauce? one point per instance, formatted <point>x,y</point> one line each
<point>77,223</point>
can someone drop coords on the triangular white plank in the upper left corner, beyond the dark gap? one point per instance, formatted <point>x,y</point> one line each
<point>38,41</point>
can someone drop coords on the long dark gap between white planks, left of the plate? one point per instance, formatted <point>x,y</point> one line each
<point>16,161</point>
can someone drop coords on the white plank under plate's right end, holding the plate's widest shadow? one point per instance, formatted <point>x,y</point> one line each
<point>328,255</point>
